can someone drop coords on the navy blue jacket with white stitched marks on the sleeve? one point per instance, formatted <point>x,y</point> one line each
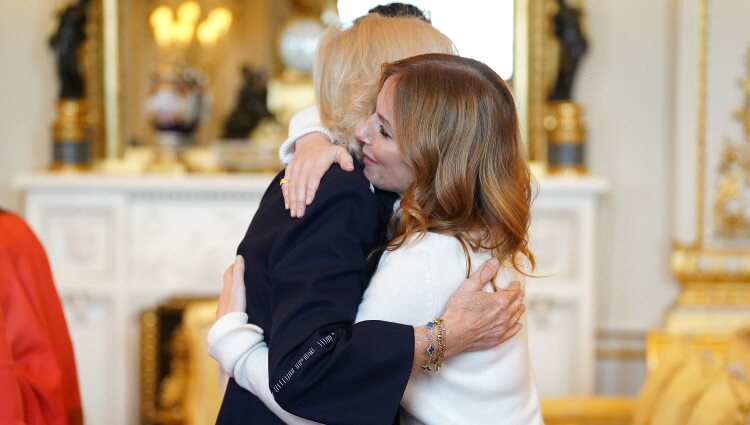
<point>305,281</point>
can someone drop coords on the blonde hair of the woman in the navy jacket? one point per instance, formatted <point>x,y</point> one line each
<point>348,63</point>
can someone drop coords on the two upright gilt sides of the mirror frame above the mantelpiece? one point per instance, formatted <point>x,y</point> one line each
<point>535,61</point>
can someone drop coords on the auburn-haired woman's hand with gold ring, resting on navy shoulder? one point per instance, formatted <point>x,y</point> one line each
<point>314,154</point>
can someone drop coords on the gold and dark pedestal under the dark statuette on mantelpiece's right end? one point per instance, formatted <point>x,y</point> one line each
<point>565,137</point>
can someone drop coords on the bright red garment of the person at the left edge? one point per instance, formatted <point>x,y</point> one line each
<point>38,382</point>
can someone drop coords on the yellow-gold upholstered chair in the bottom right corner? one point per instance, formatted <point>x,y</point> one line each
<point>693,380</point>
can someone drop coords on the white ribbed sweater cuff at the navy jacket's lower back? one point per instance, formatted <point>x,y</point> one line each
<point>230,338</point>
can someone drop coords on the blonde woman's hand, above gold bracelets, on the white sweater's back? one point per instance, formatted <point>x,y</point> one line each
<point>477,320</point>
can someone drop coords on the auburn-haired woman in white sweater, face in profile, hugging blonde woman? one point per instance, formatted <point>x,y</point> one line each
<point>445,136</point>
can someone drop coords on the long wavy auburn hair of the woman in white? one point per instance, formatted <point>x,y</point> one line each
<point>456,125</point>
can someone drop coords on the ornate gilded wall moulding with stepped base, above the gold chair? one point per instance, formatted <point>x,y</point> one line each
<point>715,272</point>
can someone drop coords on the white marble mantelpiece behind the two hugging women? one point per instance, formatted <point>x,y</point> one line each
<point>120,244</point>
